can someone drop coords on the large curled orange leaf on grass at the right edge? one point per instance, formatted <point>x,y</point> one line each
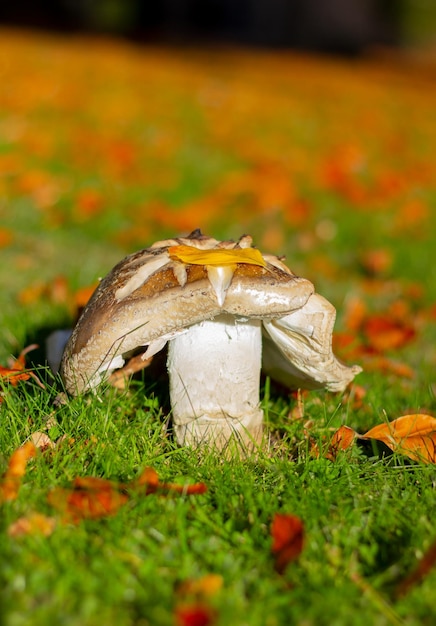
<point>412,435</point>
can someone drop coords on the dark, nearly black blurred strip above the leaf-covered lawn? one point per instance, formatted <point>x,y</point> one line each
<point>339,26</point>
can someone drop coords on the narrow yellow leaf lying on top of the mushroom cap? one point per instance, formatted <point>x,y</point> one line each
<point>217,257</point>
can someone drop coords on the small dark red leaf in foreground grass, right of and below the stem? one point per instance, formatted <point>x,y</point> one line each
<point>287,532</point>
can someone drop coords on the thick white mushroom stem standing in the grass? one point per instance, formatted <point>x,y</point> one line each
<point>214,371</point>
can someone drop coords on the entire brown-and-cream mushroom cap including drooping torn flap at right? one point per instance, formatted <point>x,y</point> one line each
<point>155,294</point>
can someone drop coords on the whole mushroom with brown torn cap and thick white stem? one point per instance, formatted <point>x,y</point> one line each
<point>215,303</point>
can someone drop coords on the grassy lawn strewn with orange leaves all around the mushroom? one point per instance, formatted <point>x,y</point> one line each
<point>106,147</point>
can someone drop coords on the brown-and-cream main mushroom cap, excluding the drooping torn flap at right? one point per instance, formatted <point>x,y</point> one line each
<point>151,296</point>
